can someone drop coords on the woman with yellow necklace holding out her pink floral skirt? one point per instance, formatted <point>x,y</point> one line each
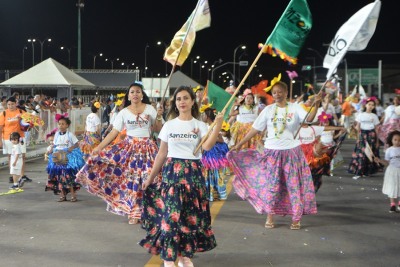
<point>276,180</point>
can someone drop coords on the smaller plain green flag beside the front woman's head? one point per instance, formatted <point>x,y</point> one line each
<point>218,97</point>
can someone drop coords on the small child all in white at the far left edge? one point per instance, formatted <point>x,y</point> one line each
<point>16,162</point>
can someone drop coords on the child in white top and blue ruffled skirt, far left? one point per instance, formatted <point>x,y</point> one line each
<point>66,159</point>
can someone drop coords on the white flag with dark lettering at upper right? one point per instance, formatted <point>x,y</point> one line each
<point>354,35</point>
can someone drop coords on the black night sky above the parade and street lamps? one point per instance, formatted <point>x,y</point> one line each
<point>122,28</point>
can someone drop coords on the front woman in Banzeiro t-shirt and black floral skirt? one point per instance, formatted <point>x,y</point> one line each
<point>177,218</point>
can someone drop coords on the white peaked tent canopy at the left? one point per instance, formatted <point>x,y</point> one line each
<point>48,73</point>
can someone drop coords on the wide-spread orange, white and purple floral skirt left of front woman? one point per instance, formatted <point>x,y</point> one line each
<point>117,173</point>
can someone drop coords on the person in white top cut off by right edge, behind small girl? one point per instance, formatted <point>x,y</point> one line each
<point>391,120</point>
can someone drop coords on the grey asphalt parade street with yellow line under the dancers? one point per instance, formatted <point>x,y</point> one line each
<point>353,227</point>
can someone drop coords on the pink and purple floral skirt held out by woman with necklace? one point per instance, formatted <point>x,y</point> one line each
<point>275,181</point>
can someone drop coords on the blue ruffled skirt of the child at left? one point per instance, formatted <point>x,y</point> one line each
<point>62,176</point>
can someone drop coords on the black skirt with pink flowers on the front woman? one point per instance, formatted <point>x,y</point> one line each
<point>176,216</point>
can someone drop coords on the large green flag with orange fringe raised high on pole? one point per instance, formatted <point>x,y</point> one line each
<point>290,32</point>
